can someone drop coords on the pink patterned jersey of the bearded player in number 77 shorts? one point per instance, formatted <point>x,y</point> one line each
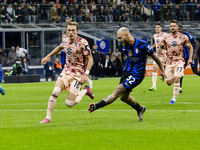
<point>174,45</point>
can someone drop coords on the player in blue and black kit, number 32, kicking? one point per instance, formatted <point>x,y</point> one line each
<point>134,53</point>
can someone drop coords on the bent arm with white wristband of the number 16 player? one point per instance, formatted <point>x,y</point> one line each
<point>88,55</point>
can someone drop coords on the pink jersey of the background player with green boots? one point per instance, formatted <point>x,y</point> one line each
<point>157,39</point>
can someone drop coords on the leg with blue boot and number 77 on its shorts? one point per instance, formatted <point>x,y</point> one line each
<point>178,73</point>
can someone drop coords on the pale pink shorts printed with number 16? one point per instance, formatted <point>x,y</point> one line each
<point>69,81</point>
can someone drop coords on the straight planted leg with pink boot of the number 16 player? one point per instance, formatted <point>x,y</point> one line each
<point>59,86</point>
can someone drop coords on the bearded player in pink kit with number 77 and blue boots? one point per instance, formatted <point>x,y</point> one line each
<point>174,43</point>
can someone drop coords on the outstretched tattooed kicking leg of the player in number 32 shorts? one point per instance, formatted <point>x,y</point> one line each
<point>109,99</point>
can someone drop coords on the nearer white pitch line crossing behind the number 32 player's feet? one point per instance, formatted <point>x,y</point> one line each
<point>65,110</point>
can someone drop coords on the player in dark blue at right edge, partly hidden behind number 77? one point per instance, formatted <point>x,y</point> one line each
<point>195,45</point>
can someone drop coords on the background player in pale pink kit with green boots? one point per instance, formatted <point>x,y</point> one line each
<point>157,38</point>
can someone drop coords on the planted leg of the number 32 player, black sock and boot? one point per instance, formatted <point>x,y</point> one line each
<point>134,104</point>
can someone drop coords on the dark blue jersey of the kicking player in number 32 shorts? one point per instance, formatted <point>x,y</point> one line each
<point>136,57</point>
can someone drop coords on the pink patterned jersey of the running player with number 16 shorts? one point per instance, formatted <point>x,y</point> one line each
<point>75,58</point>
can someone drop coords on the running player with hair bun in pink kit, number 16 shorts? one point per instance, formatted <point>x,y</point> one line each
<point>75,72</point>
